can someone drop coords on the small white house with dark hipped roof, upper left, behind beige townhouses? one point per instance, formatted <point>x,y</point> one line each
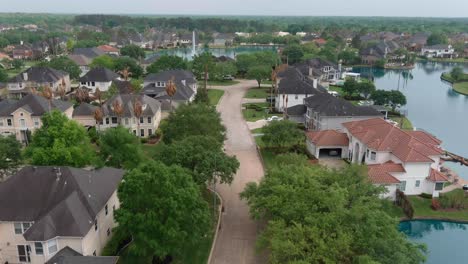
<point>98,77</point>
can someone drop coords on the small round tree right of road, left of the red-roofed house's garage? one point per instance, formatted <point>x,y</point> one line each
<point>282,135</point>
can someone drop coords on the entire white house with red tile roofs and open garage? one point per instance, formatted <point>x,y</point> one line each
<point>405,160</point>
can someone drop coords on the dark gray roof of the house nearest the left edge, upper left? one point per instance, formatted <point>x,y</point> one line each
<point>39,75</point>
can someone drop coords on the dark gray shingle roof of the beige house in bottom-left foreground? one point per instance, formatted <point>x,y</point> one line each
<point>59,205</point>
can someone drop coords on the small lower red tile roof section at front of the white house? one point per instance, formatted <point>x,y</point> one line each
<point>381,173</point>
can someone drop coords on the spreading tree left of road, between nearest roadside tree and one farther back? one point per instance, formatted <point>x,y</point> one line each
<point>203,156</point>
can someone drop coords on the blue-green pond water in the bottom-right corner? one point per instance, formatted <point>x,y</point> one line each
<point>445,241</point>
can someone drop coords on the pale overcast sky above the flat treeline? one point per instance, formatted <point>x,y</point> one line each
<point>418,8</point>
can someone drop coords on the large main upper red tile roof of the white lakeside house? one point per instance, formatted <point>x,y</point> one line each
<point>379,135</point>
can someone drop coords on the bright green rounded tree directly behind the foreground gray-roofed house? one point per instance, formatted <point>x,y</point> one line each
<point>60,142</point>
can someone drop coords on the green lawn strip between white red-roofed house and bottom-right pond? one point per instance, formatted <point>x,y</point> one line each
<point>422,208</point>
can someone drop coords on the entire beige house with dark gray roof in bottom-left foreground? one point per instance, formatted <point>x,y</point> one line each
<point>47,209</point>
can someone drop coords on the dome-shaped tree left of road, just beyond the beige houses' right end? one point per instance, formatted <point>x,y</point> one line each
<point>192,120</point>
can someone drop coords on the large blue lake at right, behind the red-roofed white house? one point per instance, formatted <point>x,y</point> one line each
<point>432,105</point>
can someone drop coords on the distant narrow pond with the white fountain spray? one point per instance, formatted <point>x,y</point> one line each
<point>188,53</point>
